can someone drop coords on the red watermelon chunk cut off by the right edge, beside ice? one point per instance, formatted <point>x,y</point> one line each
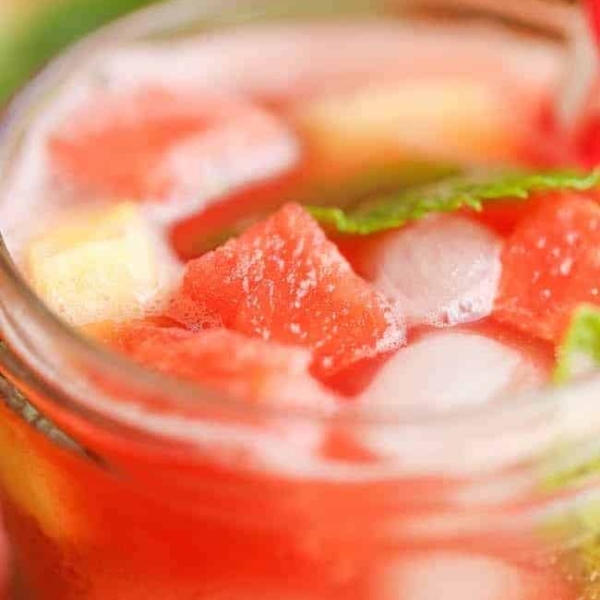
<point>551,264</point>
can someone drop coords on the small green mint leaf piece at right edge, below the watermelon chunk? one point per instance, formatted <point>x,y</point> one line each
<point>580,350</point>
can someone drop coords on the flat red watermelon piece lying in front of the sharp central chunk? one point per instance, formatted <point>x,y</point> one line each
<point>227,361</point>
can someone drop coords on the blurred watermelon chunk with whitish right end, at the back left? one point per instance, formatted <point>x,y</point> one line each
<point>153,143</point>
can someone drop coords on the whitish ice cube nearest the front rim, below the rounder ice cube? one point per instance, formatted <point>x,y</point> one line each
<point>448,370</point>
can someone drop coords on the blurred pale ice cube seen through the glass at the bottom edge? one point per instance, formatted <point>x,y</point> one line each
<point>450,576</point>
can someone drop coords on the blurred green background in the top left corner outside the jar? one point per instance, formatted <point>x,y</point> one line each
<point>32,31</point>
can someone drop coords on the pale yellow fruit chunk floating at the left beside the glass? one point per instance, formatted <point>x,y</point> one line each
<point>99,267</point>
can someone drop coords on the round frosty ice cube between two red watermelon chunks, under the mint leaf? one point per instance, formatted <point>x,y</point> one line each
<point>442,271</point>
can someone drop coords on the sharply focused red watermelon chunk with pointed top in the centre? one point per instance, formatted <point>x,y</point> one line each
<point>283,280</point>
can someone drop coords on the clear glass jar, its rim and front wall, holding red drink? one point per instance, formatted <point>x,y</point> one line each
<point>119,483</point>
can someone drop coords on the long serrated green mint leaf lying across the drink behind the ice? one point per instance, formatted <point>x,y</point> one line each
<point>395,210</point>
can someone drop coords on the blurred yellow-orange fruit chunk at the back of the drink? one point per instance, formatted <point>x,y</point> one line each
<point>450,119</point>
